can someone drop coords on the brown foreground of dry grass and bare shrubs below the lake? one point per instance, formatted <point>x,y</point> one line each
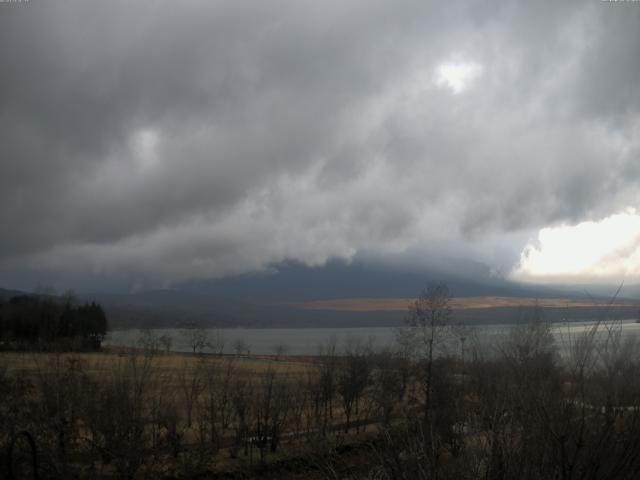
<point>517,411</point>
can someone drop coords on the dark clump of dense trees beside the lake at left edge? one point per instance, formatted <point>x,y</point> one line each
<point>38,319</point>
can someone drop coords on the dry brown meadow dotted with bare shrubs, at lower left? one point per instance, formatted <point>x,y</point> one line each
<point>131,412</point>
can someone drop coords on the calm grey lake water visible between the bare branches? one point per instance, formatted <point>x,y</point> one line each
<point>305,341</point>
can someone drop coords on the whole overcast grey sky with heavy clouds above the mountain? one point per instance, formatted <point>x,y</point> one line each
<point>151,142</point>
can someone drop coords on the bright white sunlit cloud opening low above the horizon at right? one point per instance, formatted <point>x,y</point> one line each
<point>602,251</point>
